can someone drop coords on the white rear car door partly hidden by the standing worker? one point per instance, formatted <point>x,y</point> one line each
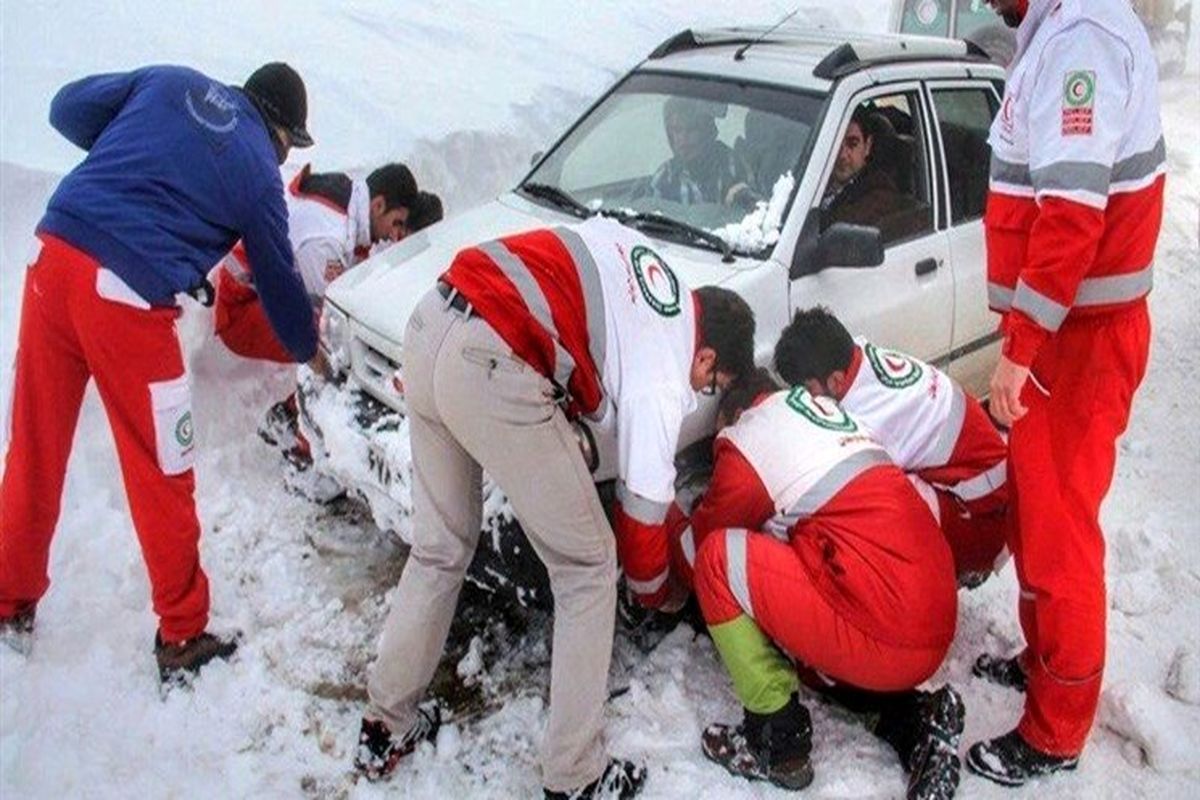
<point>963,113</point>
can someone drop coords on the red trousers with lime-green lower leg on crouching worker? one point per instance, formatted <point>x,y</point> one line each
<point>787,606</point>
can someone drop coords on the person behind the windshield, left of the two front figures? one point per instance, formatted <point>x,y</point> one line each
<point>703,169</point>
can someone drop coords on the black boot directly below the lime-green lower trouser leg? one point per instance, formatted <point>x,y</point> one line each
<point>766,747</point>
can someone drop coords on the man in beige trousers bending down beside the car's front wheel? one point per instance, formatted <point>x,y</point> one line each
<point>520,338</point>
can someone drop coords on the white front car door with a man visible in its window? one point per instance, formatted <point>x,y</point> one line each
<point>908,302</point>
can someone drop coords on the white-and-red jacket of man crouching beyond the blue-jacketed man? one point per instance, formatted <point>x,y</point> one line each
<point>329,226</point>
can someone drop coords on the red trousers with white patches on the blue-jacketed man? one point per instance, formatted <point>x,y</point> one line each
<point>80,322</point>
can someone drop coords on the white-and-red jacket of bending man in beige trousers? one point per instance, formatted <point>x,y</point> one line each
<point>597,310</point>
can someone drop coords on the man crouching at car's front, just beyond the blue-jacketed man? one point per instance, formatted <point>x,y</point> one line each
<point>333,224</point>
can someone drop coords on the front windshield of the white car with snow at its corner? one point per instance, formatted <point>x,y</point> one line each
<point>686,153</point>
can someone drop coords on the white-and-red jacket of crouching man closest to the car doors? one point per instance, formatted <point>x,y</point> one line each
<point>929,426</point>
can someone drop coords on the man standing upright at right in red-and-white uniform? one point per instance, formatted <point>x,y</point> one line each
<point>1073,218</point>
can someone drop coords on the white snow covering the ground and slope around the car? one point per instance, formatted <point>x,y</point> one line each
<point>467,97</point>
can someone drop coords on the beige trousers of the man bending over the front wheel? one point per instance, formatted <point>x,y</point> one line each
<point>473,407</point>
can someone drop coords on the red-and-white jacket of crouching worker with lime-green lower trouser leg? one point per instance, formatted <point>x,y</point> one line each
<point>800,468</point>
